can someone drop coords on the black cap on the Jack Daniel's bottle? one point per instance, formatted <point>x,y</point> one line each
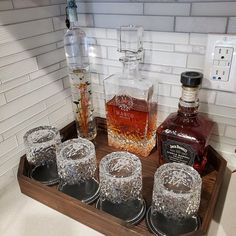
<point>191,78</point>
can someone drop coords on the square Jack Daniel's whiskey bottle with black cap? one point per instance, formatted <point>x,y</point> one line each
<point>184,135</point>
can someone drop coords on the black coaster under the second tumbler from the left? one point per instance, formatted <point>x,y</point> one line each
<point>86,192</point>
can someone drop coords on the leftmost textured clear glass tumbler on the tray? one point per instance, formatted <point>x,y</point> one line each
<point>40,144</point>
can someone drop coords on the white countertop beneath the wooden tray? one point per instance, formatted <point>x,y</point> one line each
<point>24,216</point>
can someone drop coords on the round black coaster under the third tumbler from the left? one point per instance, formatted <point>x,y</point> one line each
<point>131,211</point>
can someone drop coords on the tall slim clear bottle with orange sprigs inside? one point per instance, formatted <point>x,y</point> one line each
<point>76,50</point>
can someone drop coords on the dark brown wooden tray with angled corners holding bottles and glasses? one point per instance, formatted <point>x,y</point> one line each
<point>103,222</point>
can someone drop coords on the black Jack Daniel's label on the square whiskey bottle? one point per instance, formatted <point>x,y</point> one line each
<point>174,151</point>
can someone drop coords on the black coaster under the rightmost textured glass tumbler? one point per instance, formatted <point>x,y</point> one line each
<point>160,226</point>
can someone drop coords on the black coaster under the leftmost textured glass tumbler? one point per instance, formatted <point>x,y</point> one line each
<point>45,174</point>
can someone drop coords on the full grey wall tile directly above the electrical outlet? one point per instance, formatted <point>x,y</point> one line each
<point>201,24</point>
